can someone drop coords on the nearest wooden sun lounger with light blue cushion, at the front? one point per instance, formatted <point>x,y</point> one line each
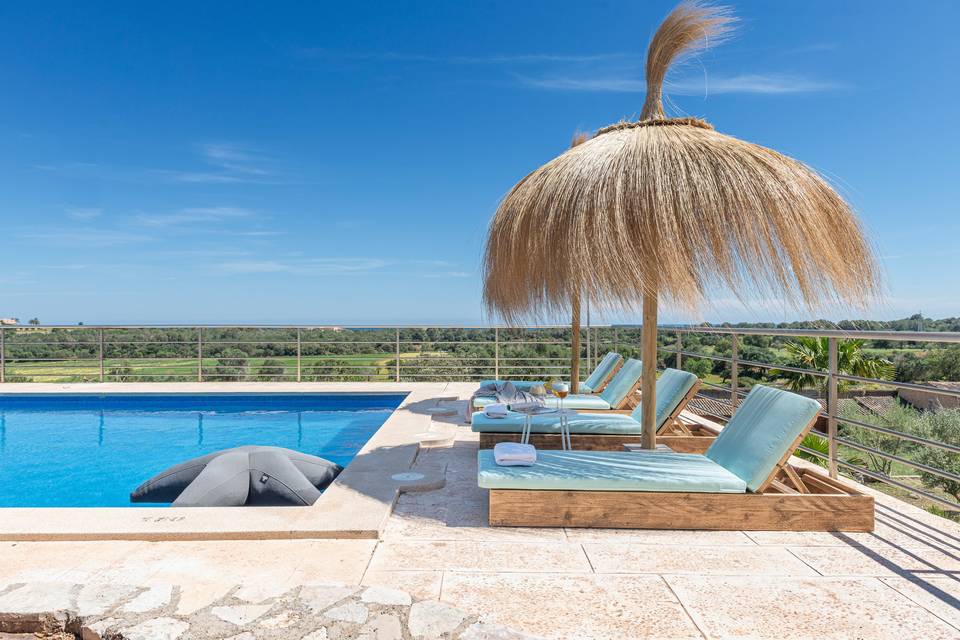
<point>743,482</point>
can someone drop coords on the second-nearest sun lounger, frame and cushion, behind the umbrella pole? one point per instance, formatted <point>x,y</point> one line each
<point>607,431</point>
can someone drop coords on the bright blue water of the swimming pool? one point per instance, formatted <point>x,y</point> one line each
<point>89,451</point>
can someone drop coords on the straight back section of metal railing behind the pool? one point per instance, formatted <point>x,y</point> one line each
<point>46,353</point>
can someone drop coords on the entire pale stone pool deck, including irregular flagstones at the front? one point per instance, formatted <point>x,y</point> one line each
<point>901,581</point>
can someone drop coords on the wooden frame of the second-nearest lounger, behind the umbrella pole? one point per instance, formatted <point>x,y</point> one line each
<point>674,433</point>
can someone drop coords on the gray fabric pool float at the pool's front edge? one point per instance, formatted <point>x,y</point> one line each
<point>249,475</point>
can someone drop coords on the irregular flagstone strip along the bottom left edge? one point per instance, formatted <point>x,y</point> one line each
<point>324,611</point>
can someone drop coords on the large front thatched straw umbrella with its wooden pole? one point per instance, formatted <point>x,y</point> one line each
<point>668,208</point>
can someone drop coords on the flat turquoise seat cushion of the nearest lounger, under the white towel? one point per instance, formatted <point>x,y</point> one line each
<point>610,471</point>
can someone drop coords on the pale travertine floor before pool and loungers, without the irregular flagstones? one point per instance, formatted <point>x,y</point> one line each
<point>900,582</point>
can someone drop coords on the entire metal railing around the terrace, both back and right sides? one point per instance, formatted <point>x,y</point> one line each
<point>468,353</point>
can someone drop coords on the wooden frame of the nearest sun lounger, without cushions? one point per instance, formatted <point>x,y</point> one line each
<point>793,498</point>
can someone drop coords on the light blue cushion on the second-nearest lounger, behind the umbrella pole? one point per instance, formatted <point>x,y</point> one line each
<point>672,386</point>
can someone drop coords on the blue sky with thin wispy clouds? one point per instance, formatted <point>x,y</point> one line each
<point>339,162</point>
